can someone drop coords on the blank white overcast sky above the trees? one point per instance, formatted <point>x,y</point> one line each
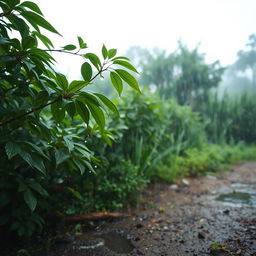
<point>221,26</point>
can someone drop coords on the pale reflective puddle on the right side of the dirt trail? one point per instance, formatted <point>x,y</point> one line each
<point>242,194</point>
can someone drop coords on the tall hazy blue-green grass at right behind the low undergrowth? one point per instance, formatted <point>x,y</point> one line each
<point>229,119</point>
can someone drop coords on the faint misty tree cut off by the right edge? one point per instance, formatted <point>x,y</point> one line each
<point>247,59</point>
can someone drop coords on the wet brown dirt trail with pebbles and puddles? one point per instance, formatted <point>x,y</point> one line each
<point>199,216</point>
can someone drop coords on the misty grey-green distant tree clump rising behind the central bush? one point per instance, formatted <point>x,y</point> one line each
<point>182,74</point>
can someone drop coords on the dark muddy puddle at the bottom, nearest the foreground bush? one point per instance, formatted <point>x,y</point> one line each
<point>112,240</point>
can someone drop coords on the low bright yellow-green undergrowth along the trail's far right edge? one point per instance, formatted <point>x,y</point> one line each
<point>211,158</point>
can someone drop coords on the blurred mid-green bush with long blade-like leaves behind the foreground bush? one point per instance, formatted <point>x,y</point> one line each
<point>148,132</point>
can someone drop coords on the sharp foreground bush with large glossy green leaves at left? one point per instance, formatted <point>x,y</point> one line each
<point>42,114</point>
